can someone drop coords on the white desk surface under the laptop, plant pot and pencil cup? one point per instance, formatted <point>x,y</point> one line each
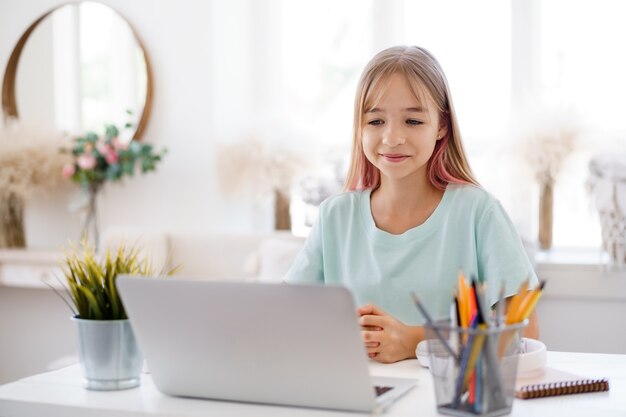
<point>60,393</point>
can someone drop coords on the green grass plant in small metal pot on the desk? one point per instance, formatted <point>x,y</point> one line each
<point>109,356</point>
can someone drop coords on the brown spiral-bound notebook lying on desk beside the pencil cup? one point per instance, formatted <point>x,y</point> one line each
<point>554,382</point>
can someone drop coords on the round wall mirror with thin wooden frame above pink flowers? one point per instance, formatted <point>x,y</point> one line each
<point>76,68</point>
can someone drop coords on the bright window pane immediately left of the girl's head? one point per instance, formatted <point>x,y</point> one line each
<point>323,56</point>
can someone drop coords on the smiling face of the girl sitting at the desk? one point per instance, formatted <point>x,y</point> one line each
<point>399,133</point>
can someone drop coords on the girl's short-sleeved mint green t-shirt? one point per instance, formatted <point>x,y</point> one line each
<point>469,231</point>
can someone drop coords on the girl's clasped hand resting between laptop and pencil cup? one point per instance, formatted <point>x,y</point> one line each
<point>387,339</point>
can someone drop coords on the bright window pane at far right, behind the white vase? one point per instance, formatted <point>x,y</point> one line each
<point>582,67</point>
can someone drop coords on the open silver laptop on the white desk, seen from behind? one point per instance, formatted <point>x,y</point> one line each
<point>295,345</point>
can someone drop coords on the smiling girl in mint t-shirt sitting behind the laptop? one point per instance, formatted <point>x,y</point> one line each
<point>413,214</point>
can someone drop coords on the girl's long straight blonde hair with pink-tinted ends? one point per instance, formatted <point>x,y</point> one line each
<point>448,163</point>
